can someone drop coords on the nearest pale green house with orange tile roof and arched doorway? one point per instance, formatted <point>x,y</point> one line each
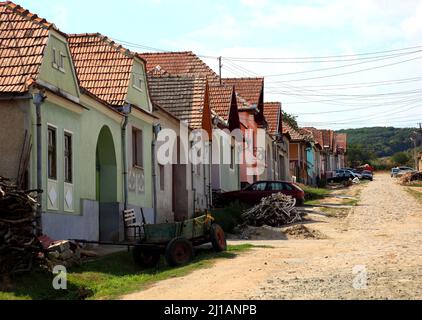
<point>43,106</point>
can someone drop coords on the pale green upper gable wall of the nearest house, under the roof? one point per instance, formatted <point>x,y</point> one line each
<point>65,80</point>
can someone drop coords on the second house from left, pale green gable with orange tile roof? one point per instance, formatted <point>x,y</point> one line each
<point>117,76</point>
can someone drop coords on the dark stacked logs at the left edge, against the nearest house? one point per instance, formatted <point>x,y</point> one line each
<point>19,246</point>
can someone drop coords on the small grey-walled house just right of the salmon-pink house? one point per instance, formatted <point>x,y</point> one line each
<point>277,160</point>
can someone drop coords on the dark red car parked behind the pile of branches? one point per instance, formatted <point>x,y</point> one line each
<point>253,193</point>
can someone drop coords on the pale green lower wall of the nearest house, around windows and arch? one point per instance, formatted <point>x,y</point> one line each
<point>86,129</point>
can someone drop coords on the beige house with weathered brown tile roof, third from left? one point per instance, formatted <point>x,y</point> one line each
<point>187,188</point>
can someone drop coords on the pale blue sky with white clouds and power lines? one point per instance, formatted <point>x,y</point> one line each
<point>274,29</point>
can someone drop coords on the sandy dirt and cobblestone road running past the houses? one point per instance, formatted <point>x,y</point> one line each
<point>373,253</point>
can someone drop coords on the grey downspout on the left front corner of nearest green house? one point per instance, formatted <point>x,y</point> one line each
<point>38,99</point>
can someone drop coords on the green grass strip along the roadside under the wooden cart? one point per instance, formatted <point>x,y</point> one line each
<point>109,277</point>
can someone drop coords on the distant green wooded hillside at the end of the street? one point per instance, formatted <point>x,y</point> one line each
<point>382,141</point>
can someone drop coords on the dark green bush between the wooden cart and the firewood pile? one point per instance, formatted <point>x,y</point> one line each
<point>230,216</point>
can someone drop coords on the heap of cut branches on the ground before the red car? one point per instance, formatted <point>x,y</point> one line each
<point>274,211</point>
